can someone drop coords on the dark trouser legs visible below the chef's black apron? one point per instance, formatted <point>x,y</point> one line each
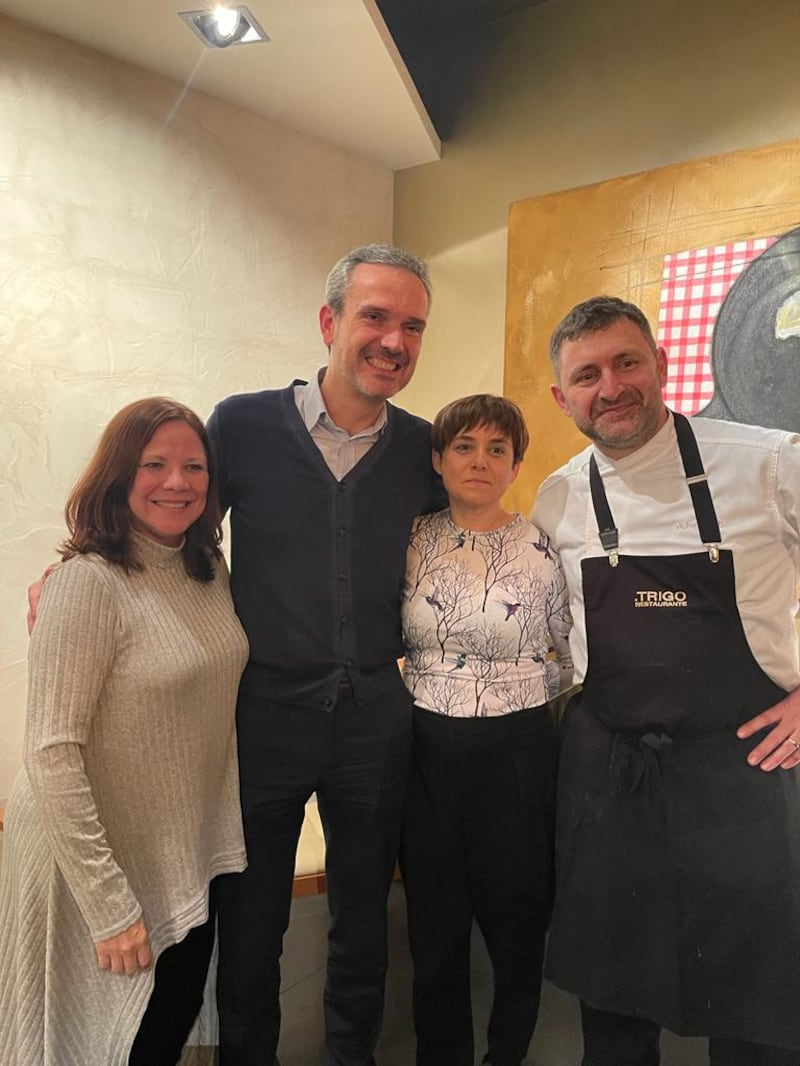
<point>616,1040</point>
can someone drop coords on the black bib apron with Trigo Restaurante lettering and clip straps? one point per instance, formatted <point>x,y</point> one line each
<point>679,865</point>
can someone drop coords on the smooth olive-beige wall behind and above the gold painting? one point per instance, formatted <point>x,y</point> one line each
<point>575,92</point>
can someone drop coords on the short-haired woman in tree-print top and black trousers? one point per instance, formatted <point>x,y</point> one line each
<point>486,622</point>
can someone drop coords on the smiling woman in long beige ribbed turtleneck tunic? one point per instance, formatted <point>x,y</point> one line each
<point>127,807</point>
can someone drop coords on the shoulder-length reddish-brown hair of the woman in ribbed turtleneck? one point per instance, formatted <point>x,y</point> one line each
<point>98,512</point>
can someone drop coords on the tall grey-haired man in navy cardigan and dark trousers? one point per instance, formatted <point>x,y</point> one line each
<point>323,480</point>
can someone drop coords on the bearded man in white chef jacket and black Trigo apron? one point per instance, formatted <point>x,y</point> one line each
<point>679,835</point>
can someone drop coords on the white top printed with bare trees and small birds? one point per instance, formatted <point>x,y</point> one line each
<point>477,615</point>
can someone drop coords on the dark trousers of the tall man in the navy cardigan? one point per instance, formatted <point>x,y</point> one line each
<point>356,757</point>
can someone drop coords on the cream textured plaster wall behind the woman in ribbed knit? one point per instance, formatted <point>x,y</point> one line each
<point>148,246</point>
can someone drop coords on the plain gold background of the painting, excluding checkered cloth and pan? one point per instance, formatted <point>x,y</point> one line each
<point>613,237</point>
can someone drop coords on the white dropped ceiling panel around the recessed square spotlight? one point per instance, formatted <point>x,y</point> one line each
<point>331,69</point>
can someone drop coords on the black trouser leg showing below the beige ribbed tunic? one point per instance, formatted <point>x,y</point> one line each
<point>177,997</point>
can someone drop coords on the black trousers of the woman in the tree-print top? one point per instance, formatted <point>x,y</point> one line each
<point>478,845</point>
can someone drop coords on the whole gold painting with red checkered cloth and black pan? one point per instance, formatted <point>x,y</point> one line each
<point>710,250</point>
